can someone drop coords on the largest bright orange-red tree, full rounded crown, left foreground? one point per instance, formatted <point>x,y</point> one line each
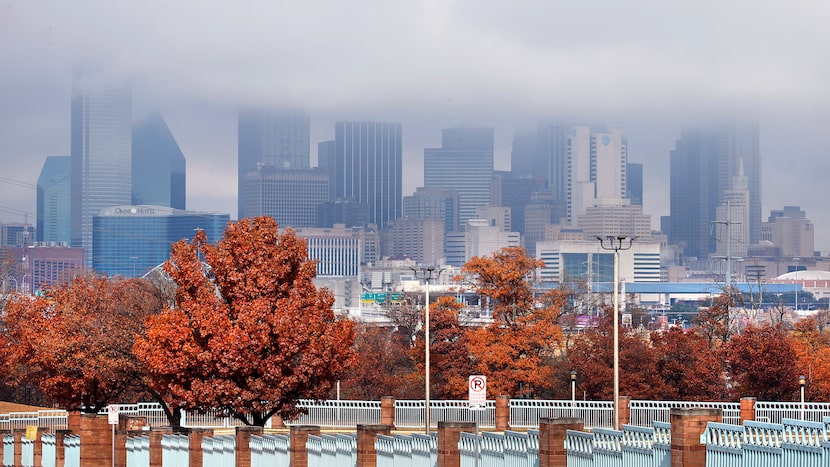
<point>250,334</point>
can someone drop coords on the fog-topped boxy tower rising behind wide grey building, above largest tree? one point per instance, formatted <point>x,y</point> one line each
<point>270,138</point>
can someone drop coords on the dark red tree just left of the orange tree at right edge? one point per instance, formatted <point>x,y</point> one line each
<point>762,363</point>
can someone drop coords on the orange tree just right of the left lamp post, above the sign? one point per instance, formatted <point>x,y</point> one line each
<point>516,351</point>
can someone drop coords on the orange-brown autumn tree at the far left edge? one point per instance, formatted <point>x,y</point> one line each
<point>76,343</point>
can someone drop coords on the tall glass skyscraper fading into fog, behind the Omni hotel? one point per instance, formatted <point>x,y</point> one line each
<point>101,152</point>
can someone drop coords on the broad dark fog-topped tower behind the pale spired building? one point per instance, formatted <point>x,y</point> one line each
<point>702,167</point>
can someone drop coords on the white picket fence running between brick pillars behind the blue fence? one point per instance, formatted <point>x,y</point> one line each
<point>524,413</point>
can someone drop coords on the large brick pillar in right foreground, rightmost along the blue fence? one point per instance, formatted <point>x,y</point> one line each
<point>686,427</point>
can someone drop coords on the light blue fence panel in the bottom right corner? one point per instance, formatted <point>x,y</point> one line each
<point>803,443</point>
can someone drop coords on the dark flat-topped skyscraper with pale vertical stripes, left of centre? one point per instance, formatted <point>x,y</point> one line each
<point>368,165</point>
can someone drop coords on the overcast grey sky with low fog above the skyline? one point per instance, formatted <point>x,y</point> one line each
<point>647,67</point>
